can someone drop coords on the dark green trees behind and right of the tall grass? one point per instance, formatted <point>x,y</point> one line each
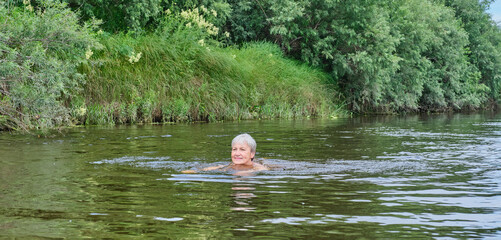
<point>383,56</point>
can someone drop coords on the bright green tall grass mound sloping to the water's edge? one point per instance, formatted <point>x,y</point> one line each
<point>178,78</point>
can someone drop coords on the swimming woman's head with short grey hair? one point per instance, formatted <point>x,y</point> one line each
<point>243,149</point>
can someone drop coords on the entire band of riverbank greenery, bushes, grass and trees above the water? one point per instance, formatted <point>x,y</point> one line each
<point>170,60</point>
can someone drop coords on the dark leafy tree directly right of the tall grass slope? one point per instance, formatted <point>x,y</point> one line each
<point>350,39</point>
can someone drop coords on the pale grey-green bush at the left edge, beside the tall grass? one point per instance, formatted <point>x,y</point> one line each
<point>40,48</point>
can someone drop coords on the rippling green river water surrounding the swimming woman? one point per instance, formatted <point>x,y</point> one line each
<point>433,177</point>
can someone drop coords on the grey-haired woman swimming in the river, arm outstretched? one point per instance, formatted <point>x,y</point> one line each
<point>243,150</point>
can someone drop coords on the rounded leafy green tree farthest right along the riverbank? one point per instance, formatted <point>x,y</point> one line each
<point>434,72</point>
